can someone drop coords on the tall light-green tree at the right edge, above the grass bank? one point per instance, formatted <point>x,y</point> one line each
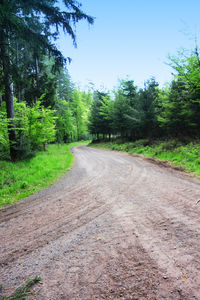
<point>182,110</point>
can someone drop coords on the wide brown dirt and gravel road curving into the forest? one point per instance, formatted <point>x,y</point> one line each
<point>115,227</point>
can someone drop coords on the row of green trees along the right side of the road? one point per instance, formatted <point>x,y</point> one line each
<point>151,112</point>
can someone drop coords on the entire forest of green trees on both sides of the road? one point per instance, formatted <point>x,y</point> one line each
<point>39,104</point>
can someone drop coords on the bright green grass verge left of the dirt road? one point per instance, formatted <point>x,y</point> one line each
<point>23,178</point>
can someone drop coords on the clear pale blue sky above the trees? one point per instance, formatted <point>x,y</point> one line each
<point>130,39</point>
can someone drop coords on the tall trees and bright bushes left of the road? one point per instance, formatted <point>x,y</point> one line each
<point>38,102</point>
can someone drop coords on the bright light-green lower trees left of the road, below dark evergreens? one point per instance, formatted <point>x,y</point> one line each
<point>37,125</point>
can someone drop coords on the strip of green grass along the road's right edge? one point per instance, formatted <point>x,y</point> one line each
<point>186,156</point>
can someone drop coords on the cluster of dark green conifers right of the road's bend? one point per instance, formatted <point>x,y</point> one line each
<point>132,113</point>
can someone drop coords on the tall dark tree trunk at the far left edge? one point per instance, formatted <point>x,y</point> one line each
<point>8,93</point>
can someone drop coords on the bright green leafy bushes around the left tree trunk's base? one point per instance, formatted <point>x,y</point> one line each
<point>35,128</point>
